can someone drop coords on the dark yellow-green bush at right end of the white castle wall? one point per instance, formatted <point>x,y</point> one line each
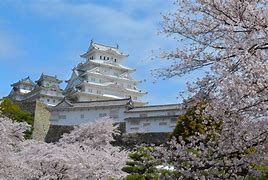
<point>194,121</point>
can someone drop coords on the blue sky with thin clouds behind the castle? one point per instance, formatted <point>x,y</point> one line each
<point>48,36</point>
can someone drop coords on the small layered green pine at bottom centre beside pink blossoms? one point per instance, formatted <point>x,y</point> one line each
<point>142,165</point>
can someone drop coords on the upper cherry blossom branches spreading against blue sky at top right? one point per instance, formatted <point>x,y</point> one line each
<point>230,38</point>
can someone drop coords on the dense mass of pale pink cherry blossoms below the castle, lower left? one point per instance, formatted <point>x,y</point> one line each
<point>85,153</point>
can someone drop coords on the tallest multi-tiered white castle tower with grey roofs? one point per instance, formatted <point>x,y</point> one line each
<point>102,76</point>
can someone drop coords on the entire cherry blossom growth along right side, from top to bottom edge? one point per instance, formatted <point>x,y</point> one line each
<point>229,39</point>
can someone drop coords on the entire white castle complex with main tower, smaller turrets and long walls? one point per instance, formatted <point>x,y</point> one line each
<point>100,86</point>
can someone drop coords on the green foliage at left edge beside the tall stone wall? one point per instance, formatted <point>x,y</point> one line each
<point>14,112</point>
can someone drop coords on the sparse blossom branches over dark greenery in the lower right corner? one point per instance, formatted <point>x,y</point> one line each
<point>209,156</point>
